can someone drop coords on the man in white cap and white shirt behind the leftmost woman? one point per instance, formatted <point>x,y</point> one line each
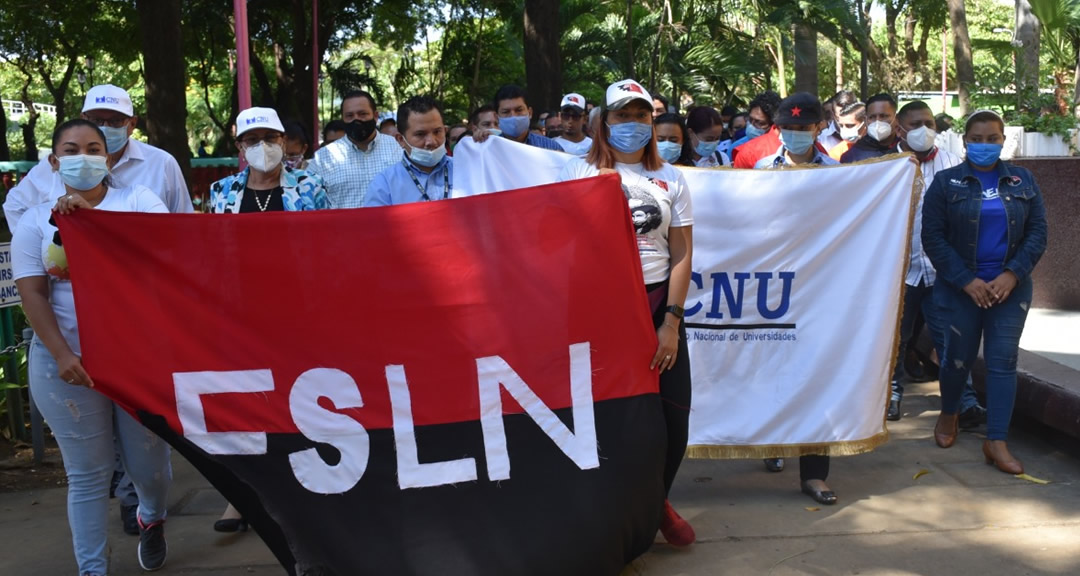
<point>132,162</point>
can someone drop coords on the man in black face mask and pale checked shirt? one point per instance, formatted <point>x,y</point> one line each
<point>349,166</point>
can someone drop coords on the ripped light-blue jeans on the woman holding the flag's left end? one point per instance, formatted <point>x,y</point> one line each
<point>84,422</point>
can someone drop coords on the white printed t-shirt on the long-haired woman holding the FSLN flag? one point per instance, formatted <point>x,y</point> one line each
<point>658,200</point>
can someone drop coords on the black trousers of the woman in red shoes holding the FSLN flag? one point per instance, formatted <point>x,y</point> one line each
<point>676,395</point>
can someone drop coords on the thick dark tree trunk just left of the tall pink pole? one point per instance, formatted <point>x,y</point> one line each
<point>164,72</point>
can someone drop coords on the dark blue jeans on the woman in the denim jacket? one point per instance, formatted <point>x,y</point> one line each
<point>1000,329</point>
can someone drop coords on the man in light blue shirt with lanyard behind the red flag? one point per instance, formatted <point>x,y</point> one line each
<point>425,172</point>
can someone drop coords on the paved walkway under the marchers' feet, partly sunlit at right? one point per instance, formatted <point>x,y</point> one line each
<point>962,518</point>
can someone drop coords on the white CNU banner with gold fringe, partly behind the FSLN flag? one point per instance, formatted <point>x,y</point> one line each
<point>794,305</point>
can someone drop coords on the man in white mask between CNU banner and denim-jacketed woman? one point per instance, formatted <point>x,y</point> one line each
<point>916,133</point>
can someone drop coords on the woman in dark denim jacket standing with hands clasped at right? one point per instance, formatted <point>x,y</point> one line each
<point>984,229</point>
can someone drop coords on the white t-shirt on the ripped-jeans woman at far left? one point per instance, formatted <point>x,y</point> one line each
<point>34,253</point>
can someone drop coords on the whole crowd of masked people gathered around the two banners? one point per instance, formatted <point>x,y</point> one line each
<point>980,230</point>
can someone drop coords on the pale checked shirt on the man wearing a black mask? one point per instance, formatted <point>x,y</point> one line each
<point>348,172</point>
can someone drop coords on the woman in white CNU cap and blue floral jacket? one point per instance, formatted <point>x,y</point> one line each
<point>267,184</point>
